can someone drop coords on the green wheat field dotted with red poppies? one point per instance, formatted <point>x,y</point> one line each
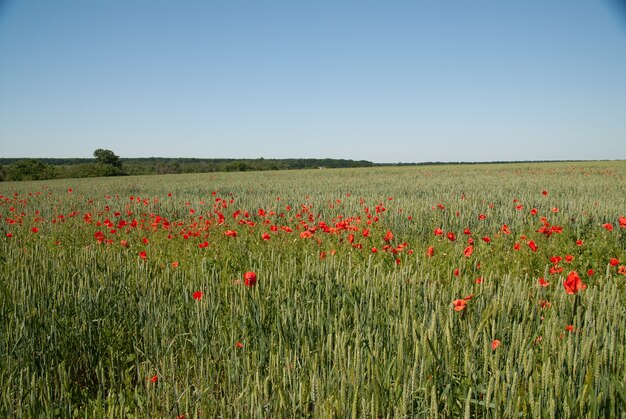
<point>476,290</point>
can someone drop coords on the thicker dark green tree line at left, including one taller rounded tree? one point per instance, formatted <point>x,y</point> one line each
<point>106,163</point>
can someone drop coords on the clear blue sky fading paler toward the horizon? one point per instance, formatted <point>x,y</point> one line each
<point>384,81</point>
